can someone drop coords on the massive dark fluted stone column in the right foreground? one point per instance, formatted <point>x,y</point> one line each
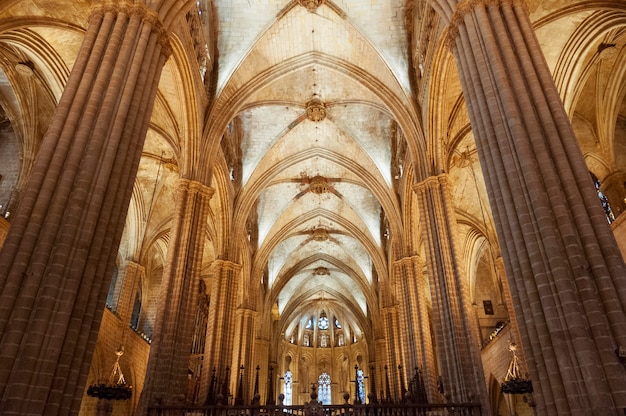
<point>566,274</point>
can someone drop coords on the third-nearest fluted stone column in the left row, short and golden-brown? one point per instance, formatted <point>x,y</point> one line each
<point>218,352</point>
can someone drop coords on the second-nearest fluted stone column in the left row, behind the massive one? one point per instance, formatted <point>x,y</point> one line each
<point>166,376</point>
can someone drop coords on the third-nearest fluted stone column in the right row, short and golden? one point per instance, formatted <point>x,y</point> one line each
<point>416,328</point>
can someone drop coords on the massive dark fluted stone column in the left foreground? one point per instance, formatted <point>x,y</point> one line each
<point>57,260</point>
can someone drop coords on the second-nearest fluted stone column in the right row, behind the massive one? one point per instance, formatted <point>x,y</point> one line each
<point>456,341</point>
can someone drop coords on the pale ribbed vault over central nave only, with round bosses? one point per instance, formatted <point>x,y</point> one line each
<point>314,90</point>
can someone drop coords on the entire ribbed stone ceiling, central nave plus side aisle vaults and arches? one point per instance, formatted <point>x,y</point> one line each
<point>319,117</point>
